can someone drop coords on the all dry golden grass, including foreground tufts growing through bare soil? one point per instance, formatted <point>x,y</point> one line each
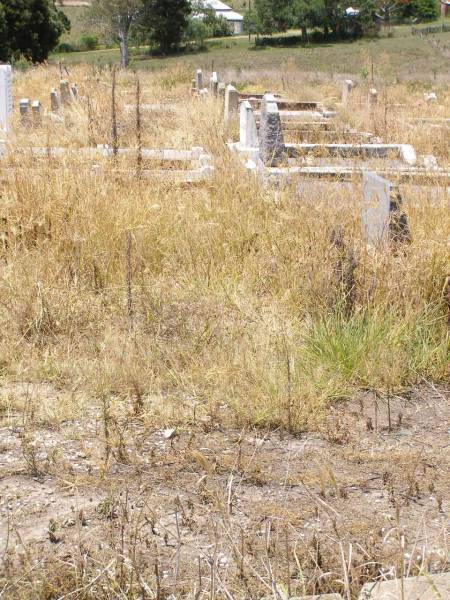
<point>145,303</point>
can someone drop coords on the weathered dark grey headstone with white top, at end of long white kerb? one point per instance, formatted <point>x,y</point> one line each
<point>271,141</point>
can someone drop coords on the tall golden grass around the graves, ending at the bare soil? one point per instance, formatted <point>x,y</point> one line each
<point>239,296</point>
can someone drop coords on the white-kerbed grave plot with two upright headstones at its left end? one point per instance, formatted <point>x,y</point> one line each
<point>264,150</point>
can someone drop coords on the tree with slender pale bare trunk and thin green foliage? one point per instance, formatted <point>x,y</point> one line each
<point>116,18</point>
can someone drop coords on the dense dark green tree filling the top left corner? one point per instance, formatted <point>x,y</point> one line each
<point>30,28</point>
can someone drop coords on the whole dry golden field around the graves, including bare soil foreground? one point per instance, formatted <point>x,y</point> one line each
<point>306,383</point>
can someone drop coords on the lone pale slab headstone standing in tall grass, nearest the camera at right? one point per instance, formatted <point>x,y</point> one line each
<point>382,216</point>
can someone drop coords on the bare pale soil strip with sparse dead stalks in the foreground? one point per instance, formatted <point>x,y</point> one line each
<point>214,488</point>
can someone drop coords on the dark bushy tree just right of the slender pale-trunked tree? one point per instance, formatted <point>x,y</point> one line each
<point>165,21</point>
